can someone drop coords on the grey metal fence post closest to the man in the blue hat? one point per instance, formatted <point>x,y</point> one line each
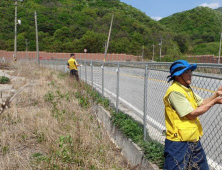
<point>145,103</point>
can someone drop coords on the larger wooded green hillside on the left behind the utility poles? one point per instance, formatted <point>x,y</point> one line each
<point>72,25</point>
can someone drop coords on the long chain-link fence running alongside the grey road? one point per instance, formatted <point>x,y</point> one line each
<point>138,90</point>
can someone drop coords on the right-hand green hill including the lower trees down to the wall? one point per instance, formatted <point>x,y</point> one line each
<point>199,26</point>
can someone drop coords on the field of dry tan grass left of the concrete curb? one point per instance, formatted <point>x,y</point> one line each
<point>45,128</point>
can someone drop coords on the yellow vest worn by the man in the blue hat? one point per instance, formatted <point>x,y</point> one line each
<point>181,128</point>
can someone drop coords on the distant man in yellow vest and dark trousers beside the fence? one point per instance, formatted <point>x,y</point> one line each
<point>72,65</point>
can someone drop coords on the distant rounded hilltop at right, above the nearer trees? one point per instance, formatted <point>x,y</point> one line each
<point>201,24</point>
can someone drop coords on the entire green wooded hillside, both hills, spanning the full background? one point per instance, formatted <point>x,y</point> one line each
<point>73,25</point>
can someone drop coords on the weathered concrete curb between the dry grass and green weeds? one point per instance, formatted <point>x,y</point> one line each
<point>129,149</point>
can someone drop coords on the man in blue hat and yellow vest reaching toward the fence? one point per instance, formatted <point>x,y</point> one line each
<point>183,149</point>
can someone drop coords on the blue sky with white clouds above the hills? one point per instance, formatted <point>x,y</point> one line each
<point>157,9</point>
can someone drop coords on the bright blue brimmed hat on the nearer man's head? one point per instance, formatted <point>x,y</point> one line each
<point>179,67</point>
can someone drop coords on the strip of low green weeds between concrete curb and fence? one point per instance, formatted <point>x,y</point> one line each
<point>132,129</point>
